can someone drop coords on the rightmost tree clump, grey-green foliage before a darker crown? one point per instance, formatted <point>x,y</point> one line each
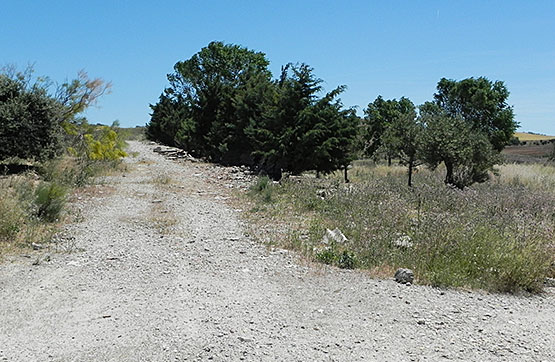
<point>466,127</point>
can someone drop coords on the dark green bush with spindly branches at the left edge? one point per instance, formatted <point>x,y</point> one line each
<point>35,123</point>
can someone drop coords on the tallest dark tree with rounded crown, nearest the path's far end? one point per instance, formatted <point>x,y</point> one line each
<point>211,100</point>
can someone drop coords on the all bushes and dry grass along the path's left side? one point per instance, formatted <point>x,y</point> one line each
<point>47,151</point>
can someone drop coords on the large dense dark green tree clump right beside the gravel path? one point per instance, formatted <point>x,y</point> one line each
<point>223,105</point>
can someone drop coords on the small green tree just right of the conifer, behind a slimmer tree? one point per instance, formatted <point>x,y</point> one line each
<point>378,116</point>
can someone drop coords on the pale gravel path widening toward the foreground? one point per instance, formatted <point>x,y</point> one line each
<point>162,271</point>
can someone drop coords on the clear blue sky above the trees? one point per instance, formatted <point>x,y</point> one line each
<point>388,48</point>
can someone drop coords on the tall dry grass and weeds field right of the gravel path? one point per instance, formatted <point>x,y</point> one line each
<point>496,236</point>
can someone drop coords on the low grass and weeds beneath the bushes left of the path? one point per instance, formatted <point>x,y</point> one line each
<point>32,204</point>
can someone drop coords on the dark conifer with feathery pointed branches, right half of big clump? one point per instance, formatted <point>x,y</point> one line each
<point>301,131</point>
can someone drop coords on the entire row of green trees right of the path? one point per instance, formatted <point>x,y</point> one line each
<point>223,105</point>
